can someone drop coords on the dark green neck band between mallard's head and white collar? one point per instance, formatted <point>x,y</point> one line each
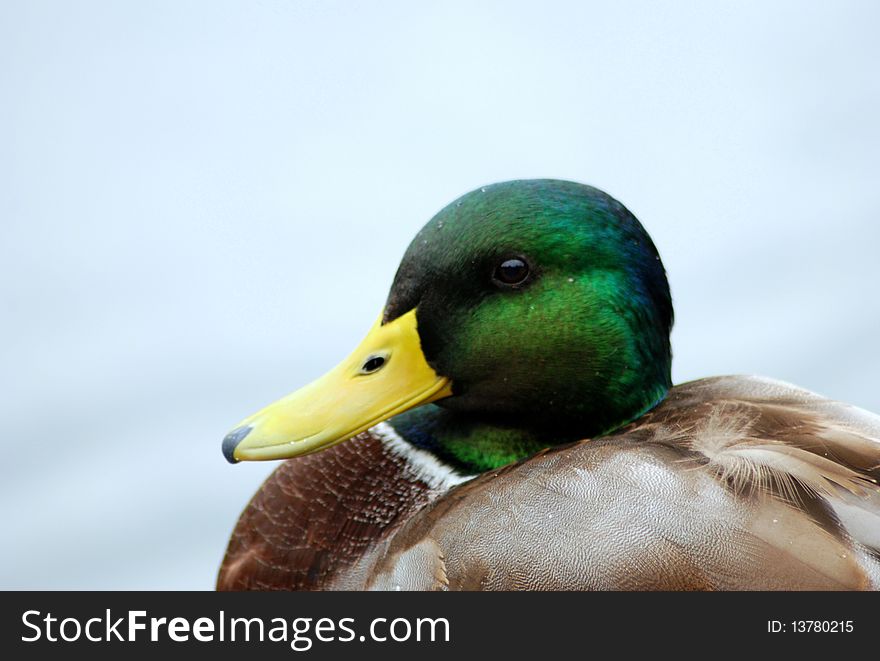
<point>471,443</point>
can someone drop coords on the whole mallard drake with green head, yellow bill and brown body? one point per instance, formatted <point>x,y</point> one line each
<point>509,422</point>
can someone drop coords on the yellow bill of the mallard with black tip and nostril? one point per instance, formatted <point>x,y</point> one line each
<point>387,374</point>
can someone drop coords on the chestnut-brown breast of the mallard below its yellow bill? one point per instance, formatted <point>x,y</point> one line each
<point>316,515</point>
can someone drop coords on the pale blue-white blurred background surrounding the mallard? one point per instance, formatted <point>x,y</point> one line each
<point>202,205</point>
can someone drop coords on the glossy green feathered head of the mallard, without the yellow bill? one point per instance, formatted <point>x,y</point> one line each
<point>544,302</point>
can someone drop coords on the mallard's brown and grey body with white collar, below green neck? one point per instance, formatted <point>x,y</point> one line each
<point>732,483</point>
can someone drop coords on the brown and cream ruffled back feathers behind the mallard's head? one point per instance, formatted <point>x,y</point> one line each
<point>764,435</point>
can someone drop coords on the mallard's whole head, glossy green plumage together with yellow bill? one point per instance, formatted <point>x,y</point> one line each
<point>538,304</point>
